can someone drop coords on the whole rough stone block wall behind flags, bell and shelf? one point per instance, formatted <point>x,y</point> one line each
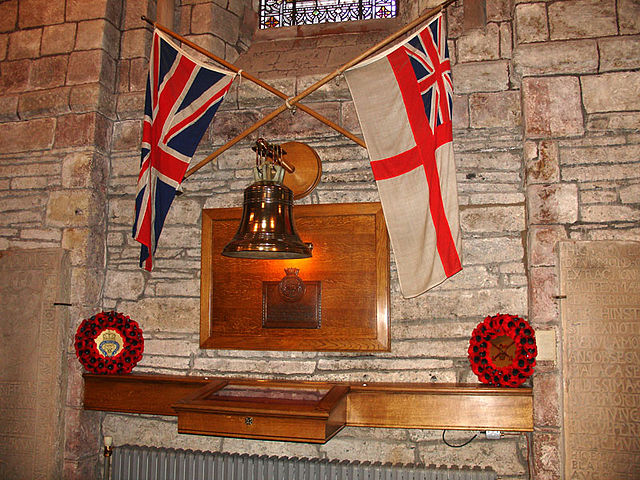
<point>546,133</point>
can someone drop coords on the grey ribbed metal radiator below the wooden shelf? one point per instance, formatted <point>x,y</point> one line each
<point>148,463</point>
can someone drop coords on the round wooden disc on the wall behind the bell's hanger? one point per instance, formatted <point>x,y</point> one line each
<point>308,168</point>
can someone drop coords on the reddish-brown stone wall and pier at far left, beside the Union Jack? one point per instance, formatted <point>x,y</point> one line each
<point>57,74</point>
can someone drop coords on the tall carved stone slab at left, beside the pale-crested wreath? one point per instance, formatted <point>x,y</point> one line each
<point>32,351</point>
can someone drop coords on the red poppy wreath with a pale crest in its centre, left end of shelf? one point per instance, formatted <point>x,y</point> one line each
<point>109,342</point>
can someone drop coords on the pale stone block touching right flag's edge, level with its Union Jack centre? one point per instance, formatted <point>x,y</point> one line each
<point>480,77</point>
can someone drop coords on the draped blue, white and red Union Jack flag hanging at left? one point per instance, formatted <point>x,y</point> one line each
<point>182,97</point>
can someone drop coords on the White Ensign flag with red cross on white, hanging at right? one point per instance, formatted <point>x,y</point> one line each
<point>403,98</point>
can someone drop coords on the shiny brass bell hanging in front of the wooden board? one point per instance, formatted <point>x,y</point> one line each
<point>267,229</point>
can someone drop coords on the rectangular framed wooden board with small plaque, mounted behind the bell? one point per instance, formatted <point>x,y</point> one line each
<point>345,306</point>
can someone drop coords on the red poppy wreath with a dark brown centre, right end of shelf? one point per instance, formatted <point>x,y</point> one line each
<point>502,350</point>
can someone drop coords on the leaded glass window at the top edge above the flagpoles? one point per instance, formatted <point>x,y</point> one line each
<point>284,13</point>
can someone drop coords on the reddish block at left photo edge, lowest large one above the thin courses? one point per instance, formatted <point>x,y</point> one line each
<point>27,136</point>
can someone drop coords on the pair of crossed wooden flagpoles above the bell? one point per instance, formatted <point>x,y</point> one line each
<point>293,101</point>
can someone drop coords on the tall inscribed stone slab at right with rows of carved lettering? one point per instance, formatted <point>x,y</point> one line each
<point>601,358</point>
